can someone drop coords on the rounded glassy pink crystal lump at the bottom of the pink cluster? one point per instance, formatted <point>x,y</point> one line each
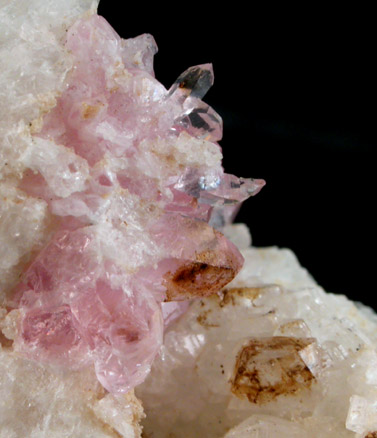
<point>73,314</point>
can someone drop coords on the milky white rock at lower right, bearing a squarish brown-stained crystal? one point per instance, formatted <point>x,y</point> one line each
<point>272,355</point>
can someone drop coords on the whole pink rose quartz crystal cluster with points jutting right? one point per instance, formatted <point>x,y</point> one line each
<point>131,173</point>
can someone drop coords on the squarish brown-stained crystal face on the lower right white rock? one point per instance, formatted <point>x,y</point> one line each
<point>267,368</point>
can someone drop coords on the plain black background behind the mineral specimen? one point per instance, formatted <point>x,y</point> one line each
<point>296,90</point>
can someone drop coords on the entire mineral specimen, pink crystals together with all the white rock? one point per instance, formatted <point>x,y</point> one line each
<point>114,213</point>
